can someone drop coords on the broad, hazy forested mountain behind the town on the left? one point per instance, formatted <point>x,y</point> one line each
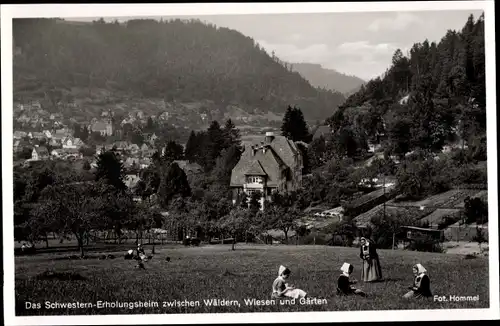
<point>181,61</point>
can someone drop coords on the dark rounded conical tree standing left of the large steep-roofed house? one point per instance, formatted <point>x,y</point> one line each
<point>173,184</point>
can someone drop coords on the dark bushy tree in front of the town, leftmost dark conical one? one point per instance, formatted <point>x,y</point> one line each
<point>110,169</point>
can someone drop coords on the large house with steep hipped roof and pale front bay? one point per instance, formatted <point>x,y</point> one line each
<point>274,164</point>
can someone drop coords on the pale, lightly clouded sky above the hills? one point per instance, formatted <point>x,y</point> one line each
<point>353,43</point>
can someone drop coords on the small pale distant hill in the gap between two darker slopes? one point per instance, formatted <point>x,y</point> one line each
<point>328,78</point>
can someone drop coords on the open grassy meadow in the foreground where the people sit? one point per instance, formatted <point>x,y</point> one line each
<point>208,272</point>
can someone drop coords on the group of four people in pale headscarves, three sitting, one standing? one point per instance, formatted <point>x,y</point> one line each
<point>371,272</point>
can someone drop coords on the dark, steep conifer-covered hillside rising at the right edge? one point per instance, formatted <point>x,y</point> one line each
<point>432,97</point>
